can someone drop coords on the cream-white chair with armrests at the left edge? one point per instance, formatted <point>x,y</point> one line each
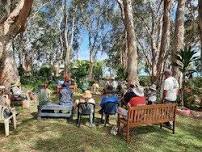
<point>7,120</point>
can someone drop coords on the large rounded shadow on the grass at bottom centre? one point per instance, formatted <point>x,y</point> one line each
<point>81,139</point>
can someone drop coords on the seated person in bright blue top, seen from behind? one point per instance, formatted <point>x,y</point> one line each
<point>108,96</point>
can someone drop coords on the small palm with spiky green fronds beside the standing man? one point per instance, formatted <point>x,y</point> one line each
<point>184,61</point>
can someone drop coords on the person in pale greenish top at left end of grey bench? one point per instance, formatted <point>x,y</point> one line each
<point>44,95</point>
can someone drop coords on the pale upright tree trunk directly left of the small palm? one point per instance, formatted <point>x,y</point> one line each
<point>179,35</point>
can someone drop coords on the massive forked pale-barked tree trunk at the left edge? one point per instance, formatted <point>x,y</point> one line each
<point>12,22</point>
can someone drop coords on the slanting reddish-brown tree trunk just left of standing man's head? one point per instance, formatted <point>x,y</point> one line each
<point>165,38</point>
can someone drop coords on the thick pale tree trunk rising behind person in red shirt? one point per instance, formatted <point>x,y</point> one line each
<point>132,63</point>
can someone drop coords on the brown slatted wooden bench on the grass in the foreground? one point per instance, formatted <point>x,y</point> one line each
<point>147,115</point>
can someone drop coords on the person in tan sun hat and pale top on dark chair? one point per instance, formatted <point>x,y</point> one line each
<point>86,98</point>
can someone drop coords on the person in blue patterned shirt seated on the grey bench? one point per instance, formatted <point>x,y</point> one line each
<point>65,96</point>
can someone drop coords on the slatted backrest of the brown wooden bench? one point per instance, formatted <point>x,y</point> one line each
<point>151,113</point>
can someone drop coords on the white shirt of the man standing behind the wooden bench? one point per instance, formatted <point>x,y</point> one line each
<point>171,86</point>
